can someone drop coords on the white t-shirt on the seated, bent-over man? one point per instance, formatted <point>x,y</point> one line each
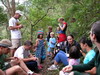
<point>21,52</point>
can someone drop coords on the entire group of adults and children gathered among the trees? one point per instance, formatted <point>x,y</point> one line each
<point>61,49</point>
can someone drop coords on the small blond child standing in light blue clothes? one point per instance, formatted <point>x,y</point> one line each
<point>52,43</point>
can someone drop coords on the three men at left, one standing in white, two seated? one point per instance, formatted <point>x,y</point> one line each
<point>15,58</point>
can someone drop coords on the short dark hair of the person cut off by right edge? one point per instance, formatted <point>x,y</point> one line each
<point>96,30</point>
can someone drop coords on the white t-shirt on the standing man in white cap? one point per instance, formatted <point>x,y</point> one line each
<point>15,34</point>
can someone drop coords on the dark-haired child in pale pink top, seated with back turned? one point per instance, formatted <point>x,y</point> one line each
<point>74,55</point>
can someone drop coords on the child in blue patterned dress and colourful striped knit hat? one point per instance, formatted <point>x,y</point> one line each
<point>40,47</point>
